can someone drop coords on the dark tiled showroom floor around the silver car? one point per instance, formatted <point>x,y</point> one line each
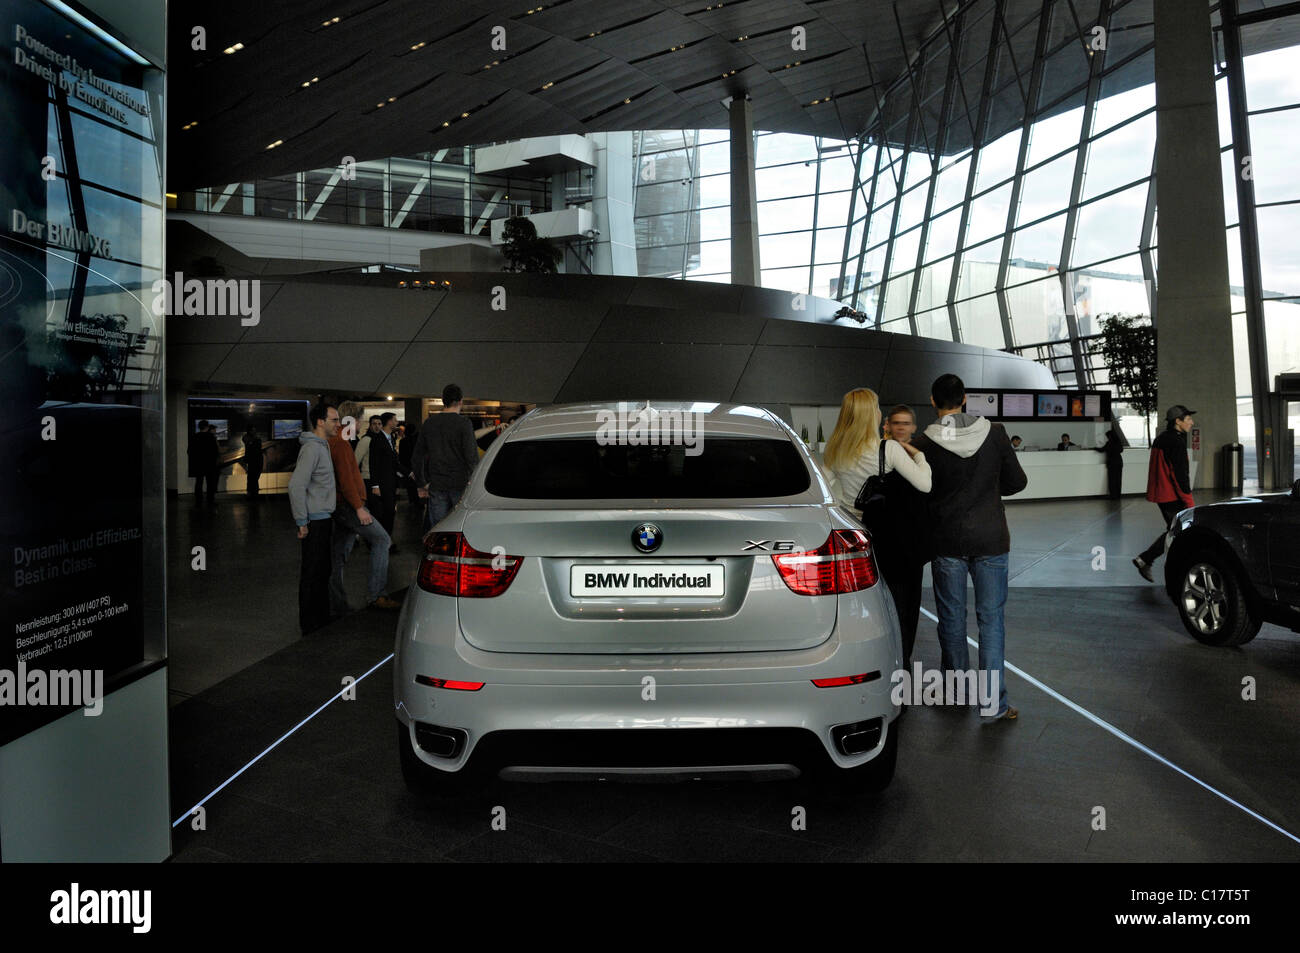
<point>964,791</point>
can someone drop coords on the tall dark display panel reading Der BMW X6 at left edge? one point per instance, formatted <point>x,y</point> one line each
<point>81,367</point>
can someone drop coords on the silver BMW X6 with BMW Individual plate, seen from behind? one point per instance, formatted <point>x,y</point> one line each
<point>669,601</point>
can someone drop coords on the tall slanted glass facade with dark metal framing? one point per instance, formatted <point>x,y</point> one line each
<point>1003,194</point>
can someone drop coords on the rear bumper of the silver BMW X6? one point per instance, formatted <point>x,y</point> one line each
<point>656,712</point>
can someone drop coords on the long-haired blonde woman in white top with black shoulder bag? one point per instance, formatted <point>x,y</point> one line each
<point>852,457</point>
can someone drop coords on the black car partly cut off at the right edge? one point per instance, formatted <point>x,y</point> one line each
<point>1233,566</point>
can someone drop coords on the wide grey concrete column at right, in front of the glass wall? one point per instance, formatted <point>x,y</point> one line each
<point>1195,330</point>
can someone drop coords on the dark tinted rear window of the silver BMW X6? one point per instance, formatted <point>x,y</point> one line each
<point>582,469</point>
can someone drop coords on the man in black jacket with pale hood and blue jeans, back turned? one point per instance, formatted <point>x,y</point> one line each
<point>973,466</point>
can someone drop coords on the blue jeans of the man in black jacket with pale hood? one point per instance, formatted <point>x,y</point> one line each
<point>990,575</point>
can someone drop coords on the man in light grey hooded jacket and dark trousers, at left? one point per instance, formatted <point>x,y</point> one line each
<point>311,497</point>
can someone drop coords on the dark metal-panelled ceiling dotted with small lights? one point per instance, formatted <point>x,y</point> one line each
<point>397,77</point>
